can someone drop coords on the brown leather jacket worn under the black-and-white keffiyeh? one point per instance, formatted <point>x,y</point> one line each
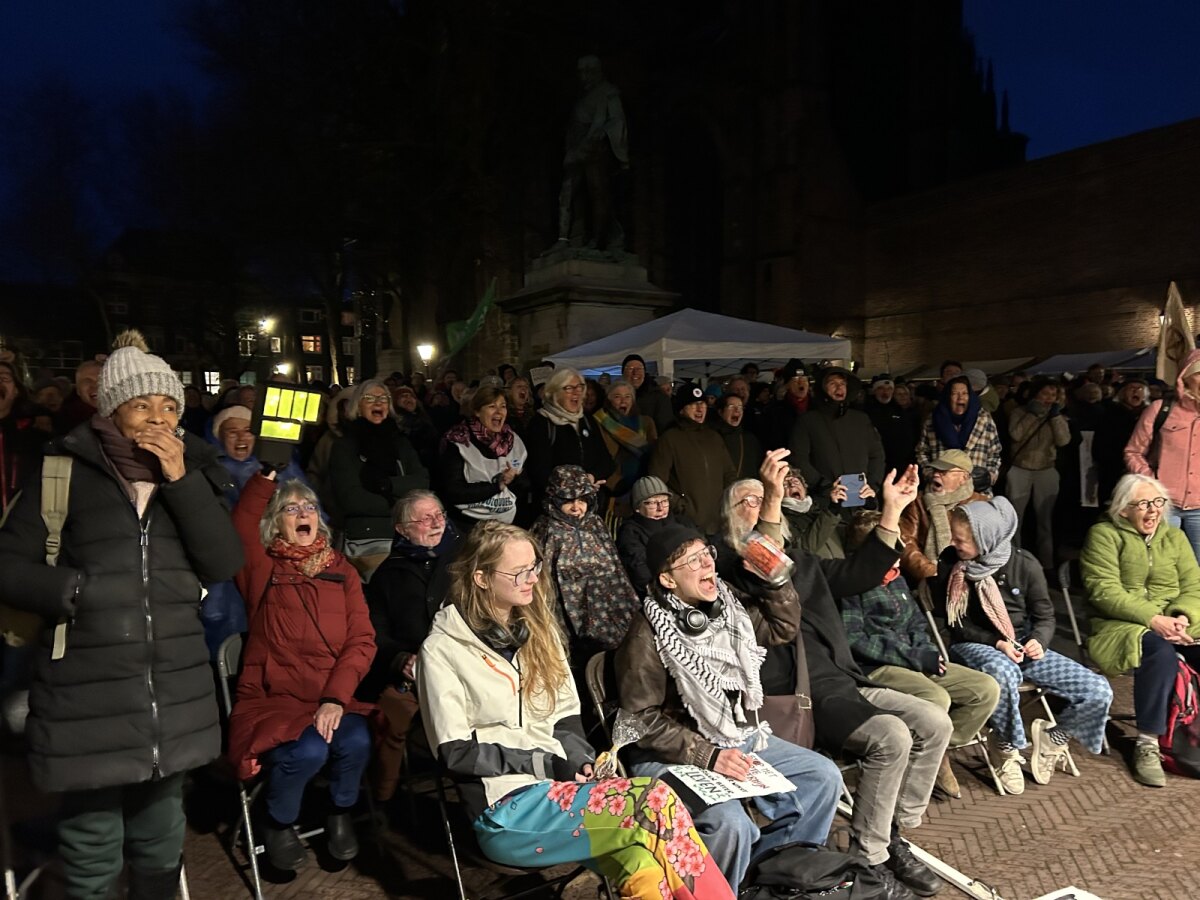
<point>647,691</point>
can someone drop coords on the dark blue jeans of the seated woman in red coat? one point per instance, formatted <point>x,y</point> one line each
<point>292,766</point>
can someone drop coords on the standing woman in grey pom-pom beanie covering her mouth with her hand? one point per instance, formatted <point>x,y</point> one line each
<point>122,701</point>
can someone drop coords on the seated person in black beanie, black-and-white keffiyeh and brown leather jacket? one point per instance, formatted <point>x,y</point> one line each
<point>689,671</point>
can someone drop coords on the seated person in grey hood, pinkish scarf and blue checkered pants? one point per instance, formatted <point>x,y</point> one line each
<point>1001,620</point>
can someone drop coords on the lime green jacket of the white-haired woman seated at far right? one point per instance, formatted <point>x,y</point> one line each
<point>1130,580</point>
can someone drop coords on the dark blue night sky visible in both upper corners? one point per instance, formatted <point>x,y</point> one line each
<point>1077,71</point>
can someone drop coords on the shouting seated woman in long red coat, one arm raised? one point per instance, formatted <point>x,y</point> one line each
<point>310,645</point>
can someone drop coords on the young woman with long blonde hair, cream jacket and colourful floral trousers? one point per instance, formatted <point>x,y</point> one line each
<point>502,711</point>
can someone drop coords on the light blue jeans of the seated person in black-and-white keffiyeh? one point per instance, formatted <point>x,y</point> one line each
<point>803,815</point>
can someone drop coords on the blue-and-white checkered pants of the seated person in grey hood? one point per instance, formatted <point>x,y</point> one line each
<point>1087,693</point>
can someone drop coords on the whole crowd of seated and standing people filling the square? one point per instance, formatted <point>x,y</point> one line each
<point>441,561</point>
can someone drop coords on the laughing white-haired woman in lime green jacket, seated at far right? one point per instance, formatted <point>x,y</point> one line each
<point>1144,584</point>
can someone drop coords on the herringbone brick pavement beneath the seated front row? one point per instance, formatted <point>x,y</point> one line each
<point>1101,832</point>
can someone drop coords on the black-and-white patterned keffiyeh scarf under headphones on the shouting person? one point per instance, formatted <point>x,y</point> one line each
<point>706,673</point>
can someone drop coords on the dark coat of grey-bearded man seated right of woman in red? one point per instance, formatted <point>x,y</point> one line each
<point>404,596</point>
